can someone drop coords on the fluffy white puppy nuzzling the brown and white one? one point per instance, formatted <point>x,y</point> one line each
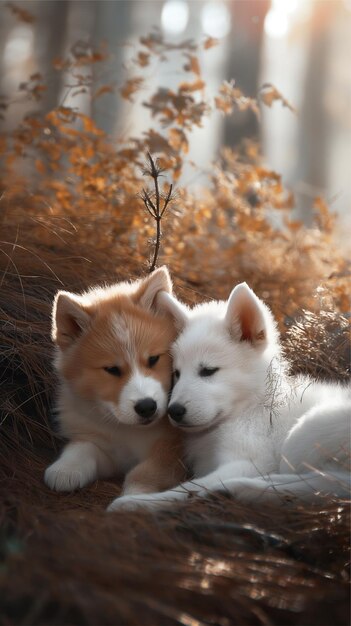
<point>252,430</point>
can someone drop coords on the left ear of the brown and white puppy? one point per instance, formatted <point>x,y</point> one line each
<point>69,319</point>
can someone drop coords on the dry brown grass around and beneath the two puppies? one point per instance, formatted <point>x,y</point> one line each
<point>64,561</point>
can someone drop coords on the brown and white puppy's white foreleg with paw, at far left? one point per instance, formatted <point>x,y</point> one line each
<point>80,463</point>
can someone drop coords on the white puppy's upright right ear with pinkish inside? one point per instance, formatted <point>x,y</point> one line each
<point>247,317</point>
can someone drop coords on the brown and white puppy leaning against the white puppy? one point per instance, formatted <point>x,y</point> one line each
<point>115,369</point>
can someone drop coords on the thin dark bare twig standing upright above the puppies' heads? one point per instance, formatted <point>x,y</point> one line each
<point>155,202</point>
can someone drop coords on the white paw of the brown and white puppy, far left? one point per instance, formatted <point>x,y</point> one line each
<point>63,477</point>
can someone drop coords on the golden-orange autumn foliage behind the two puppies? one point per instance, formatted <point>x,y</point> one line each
<point>239,227</point>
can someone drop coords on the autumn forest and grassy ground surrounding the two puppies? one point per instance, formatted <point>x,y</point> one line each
<point>245,107</point>
